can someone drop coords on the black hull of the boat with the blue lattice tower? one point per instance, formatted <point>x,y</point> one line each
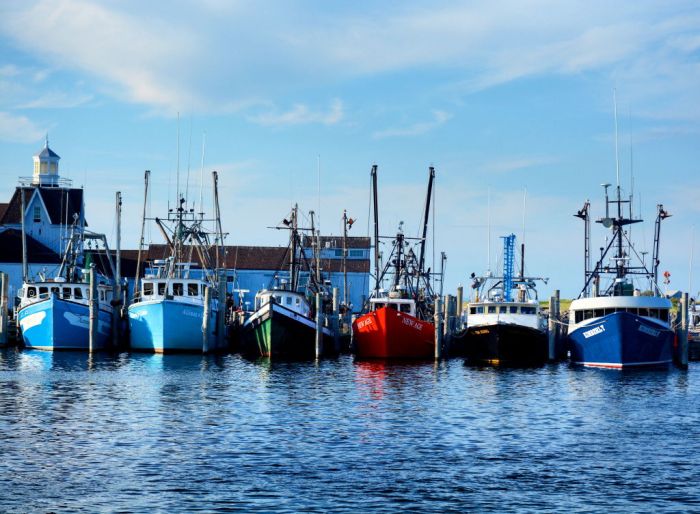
<point>506,344</point>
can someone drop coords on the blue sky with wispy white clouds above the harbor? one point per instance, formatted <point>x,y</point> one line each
<point>294,101</point>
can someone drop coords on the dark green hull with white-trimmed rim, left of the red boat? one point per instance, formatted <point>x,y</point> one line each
<point>277,332</point>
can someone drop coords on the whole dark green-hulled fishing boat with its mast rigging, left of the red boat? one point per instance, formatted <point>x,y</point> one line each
<point>283,323</point>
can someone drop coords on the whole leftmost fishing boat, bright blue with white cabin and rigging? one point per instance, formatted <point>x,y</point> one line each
<point>54,313</point>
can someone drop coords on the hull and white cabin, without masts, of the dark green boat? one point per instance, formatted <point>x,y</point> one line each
<point>282,326</point>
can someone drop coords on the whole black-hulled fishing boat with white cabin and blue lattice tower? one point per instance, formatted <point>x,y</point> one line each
<point>501,328</point>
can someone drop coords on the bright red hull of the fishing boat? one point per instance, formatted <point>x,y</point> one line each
<point>386,333</point>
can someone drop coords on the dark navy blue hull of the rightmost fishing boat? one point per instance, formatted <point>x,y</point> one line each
<point>621,340</point>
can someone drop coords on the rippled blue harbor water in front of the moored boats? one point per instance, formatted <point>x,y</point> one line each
<point>186,433</point>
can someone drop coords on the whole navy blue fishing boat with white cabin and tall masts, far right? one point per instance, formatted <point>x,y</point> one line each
<point>614,324</point>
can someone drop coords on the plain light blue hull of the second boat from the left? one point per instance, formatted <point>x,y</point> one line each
<point>169,326</point>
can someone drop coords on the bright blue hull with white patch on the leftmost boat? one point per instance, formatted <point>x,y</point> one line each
<point>57,324</point>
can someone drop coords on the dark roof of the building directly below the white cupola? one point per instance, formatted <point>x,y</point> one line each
<point>60,203</point>
